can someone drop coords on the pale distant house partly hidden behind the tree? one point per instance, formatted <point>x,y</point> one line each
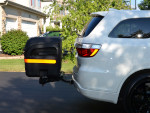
<point>45,6</point>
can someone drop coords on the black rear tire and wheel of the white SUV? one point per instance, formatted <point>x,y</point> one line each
<point>136,95</point>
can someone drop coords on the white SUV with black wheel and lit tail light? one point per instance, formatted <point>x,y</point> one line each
<point>113,60</point>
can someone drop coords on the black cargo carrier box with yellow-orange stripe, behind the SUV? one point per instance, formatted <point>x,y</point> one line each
<point>43,57</point>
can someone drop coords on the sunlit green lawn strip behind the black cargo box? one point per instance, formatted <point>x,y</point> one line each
<point>17,65</point>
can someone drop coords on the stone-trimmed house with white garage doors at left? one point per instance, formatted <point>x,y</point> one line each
<point>25,15</point>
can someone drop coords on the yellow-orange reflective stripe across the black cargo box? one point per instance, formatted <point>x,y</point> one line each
<point>43,61</point>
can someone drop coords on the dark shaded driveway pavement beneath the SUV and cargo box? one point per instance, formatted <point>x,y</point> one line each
<point>20,94</point>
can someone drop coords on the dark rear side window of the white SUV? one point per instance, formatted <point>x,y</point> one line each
<point>132,28</point>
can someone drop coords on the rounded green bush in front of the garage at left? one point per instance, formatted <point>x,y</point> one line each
<point>13,42</point>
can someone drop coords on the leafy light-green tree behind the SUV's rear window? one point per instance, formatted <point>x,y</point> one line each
<point>79,15</point>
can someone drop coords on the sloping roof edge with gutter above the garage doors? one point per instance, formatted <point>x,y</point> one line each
<point>7,2</point>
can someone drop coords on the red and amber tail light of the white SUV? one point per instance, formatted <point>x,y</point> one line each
<point>87,50</point>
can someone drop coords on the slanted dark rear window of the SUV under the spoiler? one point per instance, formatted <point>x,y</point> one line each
<point>91,25</point>
